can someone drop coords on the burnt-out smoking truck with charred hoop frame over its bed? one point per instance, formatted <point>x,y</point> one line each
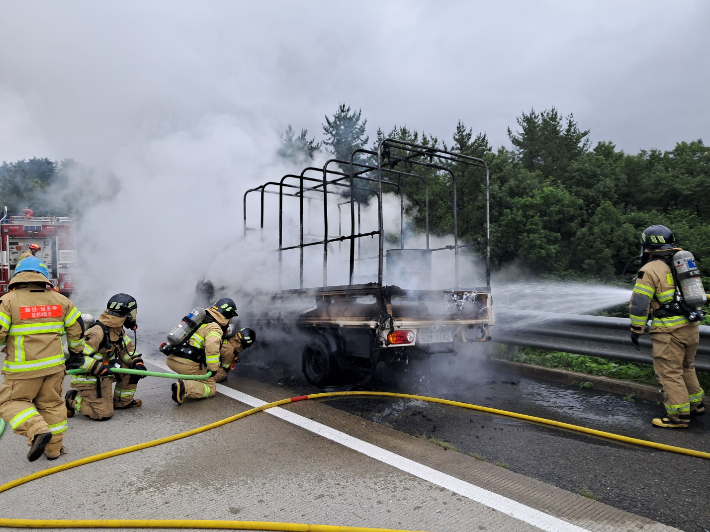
<point>349,328</point>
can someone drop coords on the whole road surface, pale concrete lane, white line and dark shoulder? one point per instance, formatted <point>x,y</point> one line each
<point>295,470</point>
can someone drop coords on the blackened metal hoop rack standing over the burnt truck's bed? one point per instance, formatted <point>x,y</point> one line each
<point>382,171</point>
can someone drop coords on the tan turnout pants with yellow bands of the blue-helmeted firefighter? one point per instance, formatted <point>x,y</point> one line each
<point>35,406</point>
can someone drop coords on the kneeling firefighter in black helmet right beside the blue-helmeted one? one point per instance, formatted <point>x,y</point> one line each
<point>108,342</point>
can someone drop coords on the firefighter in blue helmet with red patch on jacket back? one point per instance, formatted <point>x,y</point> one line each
<point>33,316</point>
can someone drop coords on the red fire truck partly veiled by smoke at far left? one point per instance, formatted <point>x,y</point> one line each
<point>55,237</point>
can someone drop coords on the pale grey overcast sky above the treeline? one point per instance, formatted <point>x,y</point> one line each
<point>83,79</point>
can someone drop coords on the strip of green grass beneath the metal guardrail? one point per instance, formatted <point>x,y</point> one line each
<point>630,371</point>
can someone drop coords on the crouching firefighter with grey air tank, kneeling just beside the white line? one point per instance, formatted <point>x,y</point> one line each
<point>202,353</point>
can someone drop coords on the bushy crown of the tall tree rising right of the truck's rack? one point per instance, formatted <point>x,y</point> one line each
<point>546,144</point>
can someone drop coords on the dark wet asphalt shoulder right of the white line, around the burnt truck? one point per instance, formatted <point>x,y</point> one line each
<point>666,487</point>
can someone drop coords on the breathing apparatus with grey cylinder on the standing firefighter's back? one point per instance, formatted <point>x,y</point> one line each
<point>689,294</point>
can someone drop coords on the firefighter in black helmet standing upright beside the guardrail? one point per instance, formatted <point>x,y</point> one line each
<point>674,337</point>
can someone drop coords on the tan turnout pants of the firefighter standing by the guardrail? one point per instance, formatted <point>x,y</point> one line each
<point>673,361</point>
